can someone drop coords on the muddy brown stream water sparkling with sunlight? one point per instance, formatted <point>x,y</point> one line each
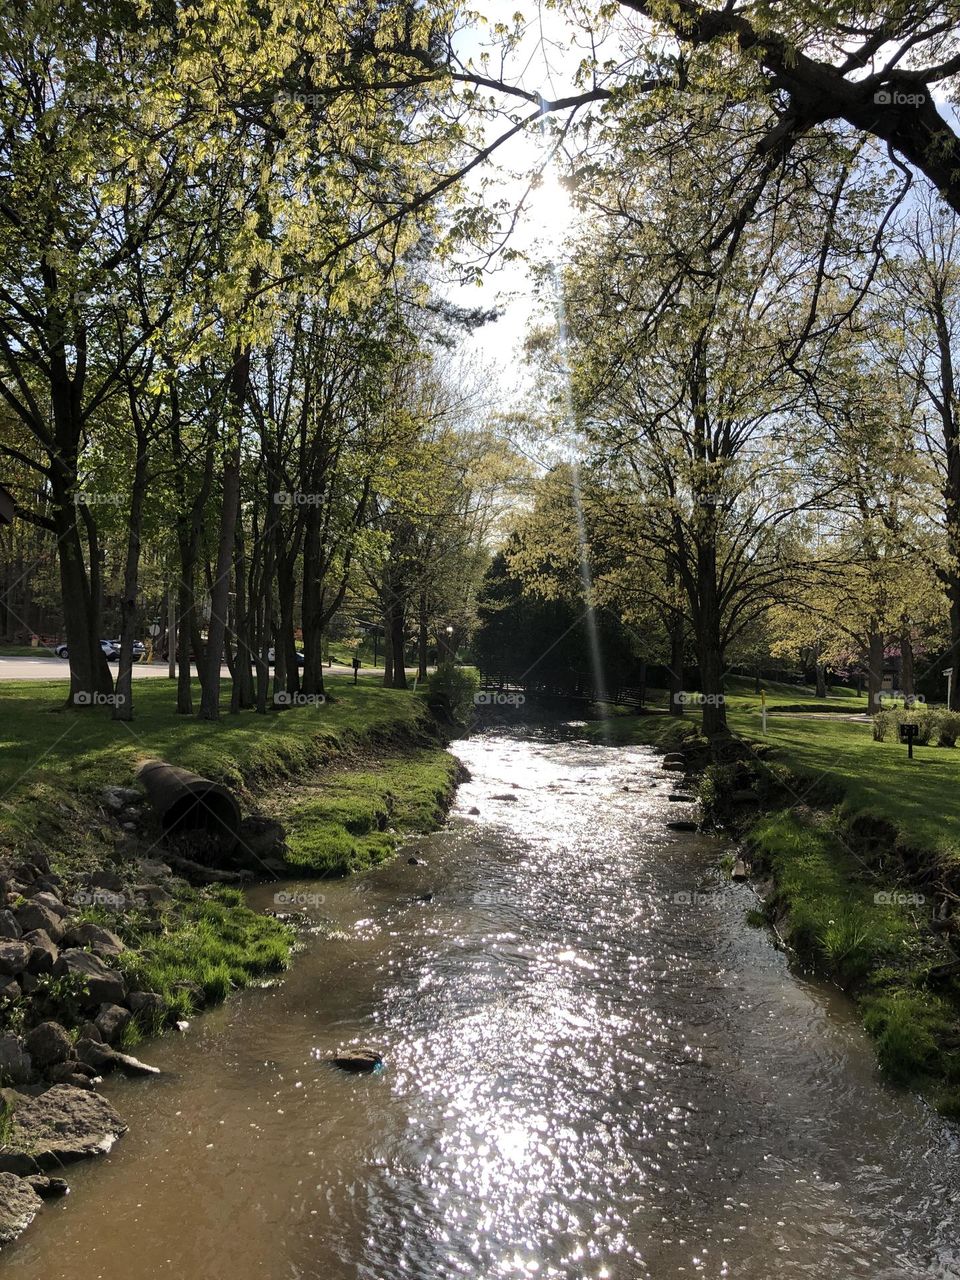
<point>595,1069</point>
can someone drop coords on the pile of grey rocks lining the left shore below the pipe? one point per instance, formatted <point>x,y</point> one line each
<point>72,993</point>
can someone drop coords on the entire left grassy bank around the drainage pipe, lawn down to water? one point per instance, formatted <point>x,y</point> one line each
<point>348,780</point>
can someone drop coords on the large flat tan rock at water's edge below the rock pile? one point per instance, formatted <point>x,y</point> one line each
<point>63,1124</point>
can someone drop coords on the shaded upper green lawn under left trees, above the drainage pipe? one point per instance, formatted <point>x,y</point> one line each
<point>54,756</point>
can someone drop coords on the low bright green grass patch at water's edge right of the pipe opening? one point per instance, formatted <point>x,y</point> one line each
<point>355,820</point>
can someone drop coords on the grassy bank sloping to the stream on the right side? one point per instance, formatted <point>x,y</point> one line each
<point>857,845</point>
